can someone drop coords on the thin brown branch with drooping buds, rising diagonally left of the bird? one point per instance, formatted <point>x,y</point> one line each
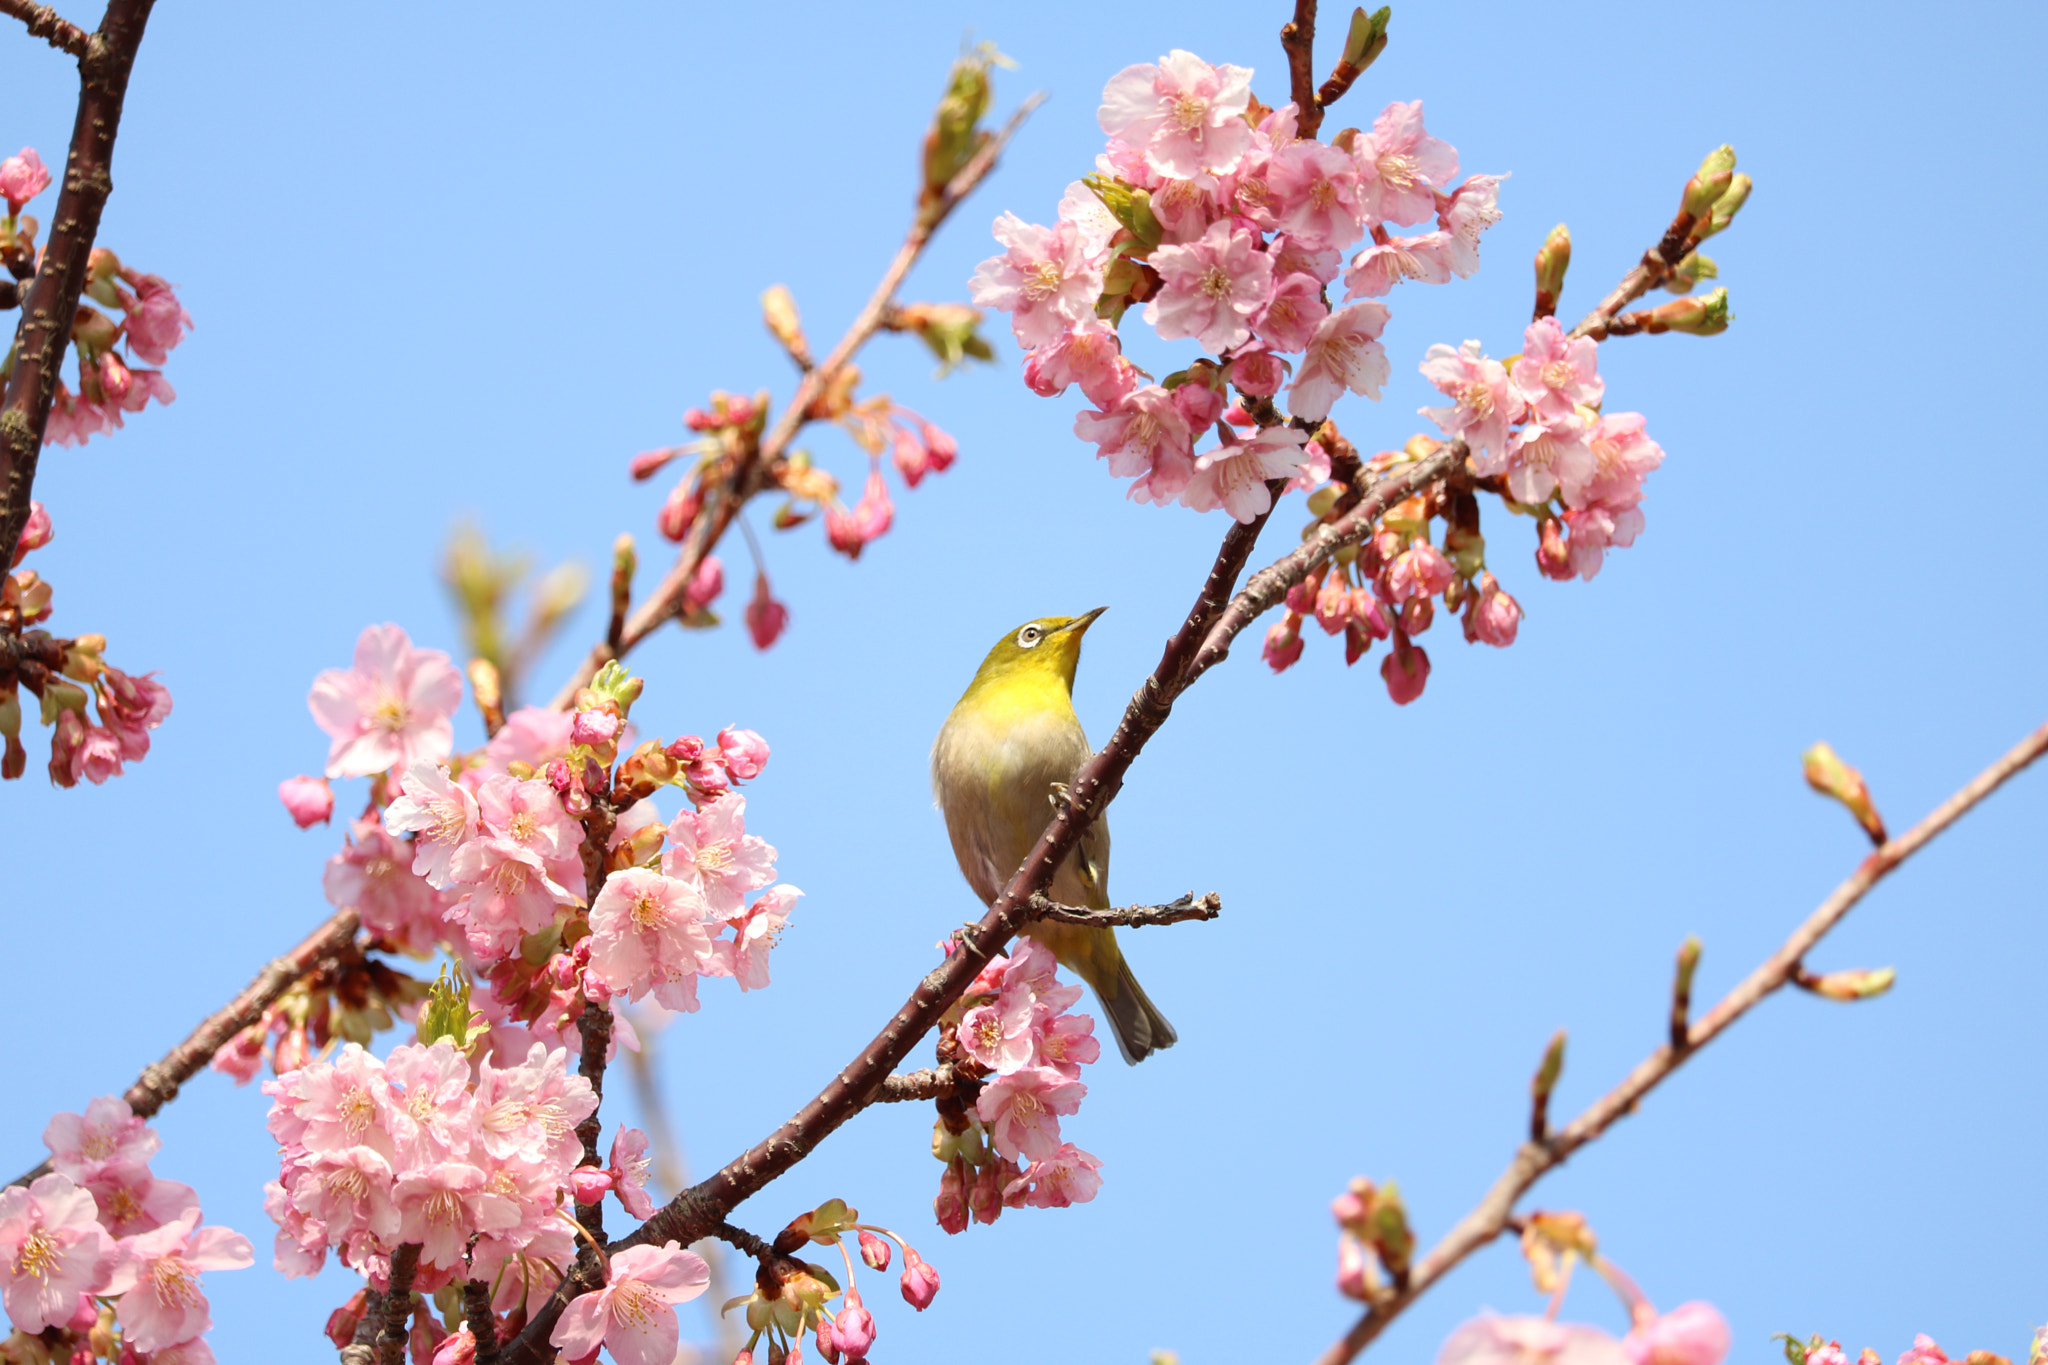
<point>751,474</point>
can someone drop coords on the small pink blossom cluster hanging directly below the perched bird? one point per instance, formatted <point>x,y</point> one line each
<point>1013,1032</point>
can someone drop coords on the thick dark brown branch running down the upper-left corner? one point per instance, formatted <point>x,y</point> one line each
<point>52,300</point>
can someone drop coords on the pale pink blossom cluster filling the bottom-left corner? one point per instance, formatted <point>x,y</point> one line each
<point>108,1251</point>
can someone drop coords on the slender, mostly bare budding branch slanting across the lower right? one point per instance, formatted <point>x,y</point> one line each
<point>1533,1161</point>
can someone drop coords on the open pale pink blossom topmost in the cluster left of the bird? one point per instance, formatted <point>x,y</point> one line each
<point>394,709</point>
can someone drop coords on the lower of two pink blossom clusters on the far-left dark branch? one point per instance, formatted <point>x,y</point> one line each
<point>67,676</point>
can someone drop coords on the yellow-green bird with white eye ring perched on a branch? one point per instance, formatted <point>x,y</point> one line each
<point>1009,744</point>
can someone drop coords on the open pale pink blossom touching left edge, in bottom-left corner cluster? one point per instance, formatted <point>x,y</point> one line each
<point>52,1251</point>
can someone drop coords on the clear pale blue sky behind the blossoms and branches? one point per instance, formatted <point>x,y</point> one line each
<point>466,261</point>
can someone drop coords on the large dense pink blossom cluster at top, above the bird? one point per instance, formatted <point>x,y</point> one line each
<point>1230,228</point>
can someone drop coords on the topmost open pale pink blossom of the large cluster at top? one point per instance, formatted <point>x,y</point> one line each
<point>1183,114</point>
